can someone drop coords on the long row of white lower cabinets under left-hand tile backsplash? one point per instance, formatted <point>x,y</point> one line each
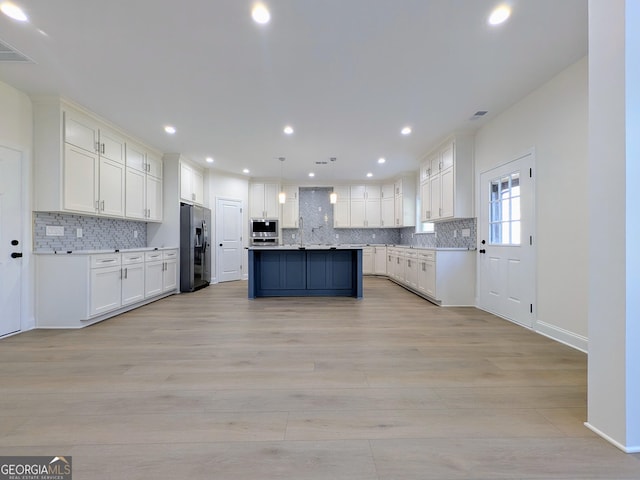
<point>99,286</point>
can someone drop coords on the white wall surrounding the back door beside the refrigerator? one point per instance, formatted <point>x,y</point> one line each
<point>231,187</point>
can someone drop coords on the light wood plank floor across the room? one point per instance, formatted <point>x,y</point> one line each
<point>211,385</point>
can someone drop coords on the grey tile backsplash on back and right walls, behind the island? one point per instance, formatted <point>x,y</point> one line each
<point>317,214</point>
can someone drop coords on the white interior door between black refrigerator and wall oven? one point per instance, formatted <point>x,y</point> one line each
<point>228,240</point>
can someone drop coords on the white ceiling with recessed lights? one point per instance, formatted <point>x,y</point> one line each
<point>346,74</point>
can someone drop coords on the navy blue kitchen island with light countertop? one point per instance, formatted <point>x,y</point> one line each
<point>294,271</point>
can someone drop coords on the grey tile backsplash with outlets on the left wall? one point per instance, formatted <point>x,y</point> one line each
<point>97,233</point>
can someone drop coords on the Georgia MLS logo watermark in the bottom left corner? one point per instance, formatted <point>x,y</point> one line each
<point>35,468</point>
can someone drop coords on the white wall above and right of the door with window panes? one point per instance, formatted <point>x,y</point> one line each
<point>553,120</point>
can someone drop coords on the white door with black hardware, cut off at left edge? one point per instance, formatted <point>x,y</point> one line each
<point>10,241</point>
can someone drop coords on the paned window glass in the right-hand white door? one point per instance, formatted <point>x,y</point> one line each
<point>504,208</point>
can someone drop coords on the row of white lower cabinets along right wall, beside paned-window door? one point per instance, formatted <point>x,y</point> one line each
<point>445,277</point>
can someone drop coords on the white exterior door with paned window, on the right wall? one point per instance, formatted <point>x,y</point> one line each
<point>506,263</point>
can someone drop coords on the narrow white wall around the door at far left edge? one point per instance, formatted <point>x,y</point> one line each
<point>16,132</point>
